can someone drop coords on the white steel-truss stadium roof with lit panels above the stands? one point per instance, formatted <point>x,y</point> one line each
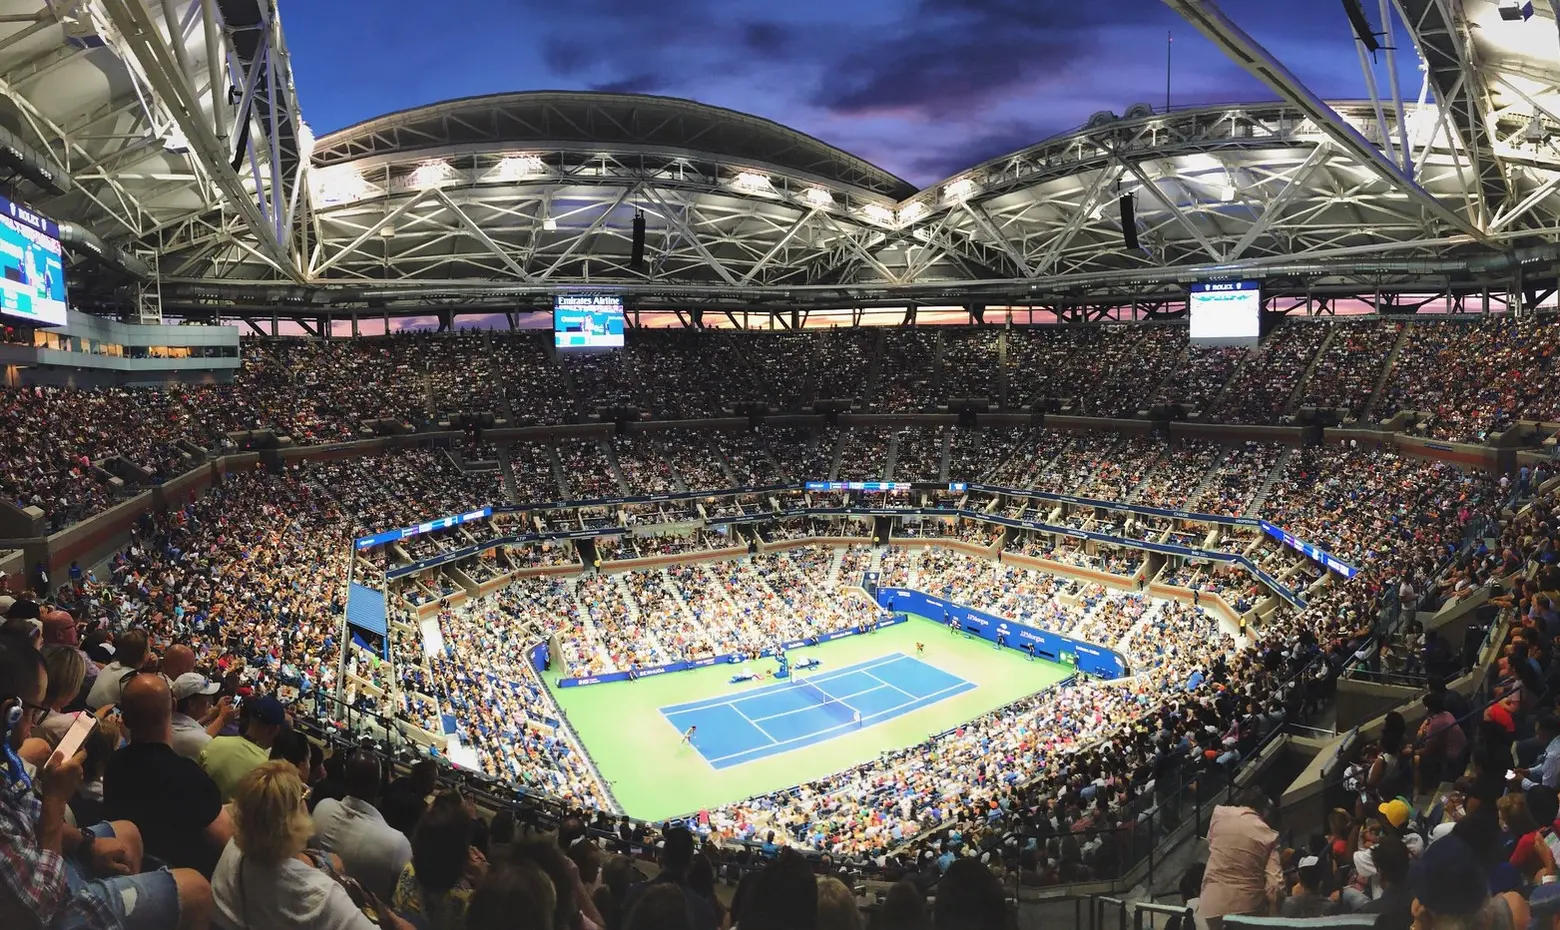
<point>166,158</point>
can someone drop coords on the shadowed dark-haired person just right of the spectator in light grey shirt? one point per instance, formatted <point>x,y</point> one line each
<point>438,884</point>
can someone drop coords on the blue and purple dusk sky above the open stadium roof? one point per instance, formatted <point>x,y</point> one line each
<point>921,88</point>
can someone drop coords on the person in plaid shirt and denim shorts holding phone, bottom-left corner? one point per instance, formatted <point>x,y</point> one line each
<point>60,878</point>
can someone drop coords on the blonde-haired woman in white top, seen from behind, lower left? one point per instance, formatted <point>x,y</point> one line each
<point>268,881</point>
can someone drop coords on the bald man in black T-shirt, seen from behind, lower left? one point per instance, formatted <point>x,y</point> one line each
<point>168,797</point>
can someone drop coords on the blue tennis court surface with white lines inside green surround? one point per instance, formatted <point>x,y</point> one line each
<point>790,715</point>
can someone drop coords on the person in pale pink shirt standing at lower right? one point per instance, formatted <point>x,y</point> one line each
<point>1244,875</point>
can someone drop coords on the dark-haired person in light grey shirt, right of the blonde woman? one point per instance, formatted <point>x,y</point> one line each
<point>355,831</point>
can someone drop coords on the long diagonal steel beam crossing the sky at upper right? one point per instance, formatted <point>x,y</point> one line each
<point>1260,63</point>
